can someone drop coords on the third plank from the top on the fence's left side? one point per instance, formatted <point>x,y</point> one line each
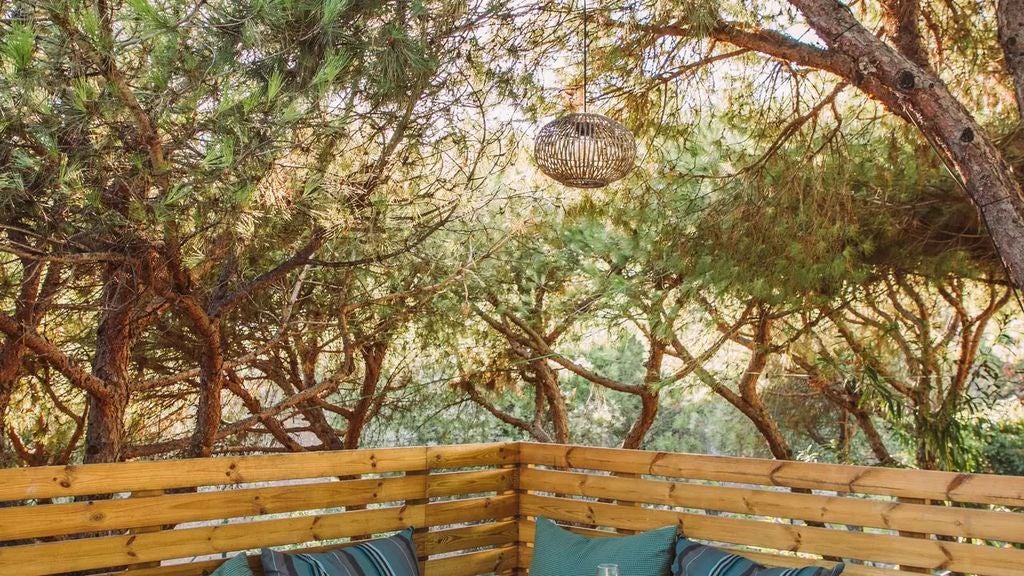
<point>108,552</point>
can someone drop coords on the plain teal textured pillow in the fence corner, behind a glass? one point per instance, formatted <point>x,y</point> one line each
<point>561,553</point>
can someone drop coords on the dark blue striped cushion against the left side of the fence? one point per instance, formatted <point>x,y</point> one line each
<point>395,556</point>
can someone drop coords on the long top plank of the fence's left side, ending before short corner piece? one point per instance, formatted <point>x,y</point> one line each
<point>55,482</point>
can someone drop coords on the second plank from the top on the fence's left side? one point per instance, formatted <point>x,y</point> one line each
<point>27,522</point>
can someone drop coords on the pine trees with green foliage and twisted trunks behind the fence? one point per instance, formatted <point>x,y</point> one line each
<point>267,226</point>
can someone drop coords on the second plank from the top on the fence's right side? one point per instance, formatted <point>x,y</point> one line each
<point>992,525</point>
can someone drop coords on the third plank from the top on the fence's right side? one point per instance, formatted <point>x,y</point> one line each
<point>875,548</point>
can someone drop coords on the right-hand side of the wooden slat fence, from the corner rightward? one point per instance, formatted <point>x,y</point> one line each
<point>852,513</point>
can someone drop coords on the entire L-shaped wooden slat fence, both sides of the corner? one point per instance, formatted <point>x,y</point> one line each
<point>476,506</point>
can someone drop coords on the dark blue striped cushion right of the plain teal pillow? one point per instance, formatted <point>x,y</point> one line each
<point>700,560</point>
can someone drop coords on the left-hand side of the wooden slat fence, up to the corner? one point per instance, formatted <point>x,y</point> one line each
<point>77,519</point>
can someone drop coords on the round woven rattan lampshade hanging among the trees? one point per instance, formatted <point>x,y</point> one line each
<point>585,150</point>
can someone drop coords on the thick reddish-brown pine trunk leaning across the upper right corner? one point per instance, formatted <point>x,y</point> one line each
<point>901,80</point>
